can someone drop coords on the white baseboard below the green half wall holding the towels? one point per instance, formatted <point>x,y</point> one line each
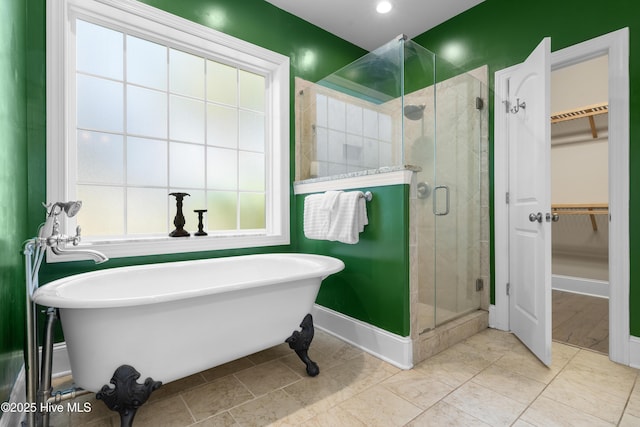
<point>389,347</point>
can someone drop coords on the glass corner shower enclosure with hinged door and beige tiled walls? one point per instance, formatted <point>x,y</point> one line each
<point>400,106</point>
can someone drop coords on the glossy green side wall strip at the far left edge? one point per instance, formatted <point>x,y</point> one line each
<point>13,188</point>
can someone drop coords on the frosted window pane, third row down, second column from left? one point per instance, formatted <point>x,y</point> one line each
<point>146,162</point>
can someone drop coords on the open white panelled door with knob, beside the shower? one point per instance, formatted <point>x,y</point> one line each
<point>528,121</point>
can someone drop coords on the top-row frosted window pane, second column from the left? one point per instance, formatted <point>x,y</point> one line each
<point>146,63</point>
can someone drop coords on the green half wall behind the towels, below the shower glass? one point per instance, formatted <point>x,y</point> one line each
<point>374,286</point>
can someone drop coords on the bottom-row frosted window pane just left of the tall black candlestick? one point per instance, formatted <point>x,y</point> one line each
<point>147,211</point>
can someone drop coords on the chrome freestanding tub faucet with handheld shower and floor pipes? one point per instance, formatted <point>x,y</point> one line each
<point>39,393</point>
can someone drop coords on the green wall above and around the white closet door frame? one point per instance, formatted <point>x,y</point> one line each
<point>502,33</point>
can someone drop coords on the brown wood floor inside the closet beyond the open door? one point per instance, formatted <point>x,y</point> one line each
<point>581,320</point>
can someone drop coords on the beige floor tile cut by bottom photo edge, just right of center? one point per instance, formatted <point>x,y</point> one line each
<point>378,406</point>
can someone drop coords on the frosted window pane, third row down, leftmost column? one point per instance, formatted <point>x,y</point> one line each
<point>100,158</point>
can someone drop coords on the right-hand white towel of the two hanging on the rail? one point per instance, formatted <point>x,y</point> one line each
<point>348,218</point>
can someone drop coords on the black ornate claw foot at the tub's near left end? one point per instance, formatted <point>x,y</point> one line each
<point>127,395</point>
